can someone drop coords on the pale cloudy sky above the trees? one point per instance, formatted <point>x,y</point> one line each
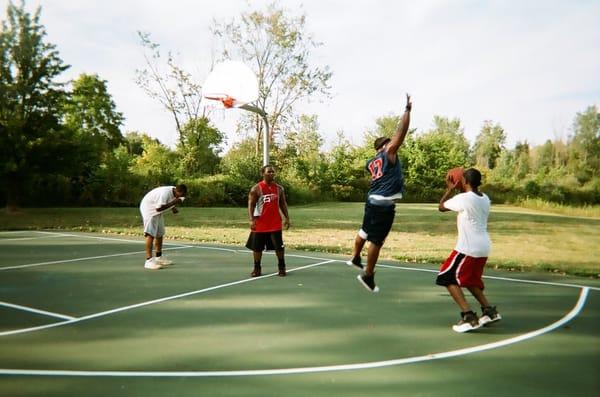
<point>527,65</point>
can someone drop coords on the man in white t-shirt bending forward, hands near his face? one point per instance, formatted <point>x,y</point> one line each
<point>154,203</point>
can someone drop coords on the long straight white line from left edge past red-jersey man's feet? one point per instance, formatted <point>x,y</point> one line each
<point>154,301</point>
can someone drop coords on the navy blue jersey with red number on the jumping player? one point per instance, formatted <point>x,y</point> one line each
<point>387,179</point>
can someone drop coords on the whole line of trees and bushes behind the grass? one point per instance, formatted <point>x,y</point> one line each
<point>62,143</point>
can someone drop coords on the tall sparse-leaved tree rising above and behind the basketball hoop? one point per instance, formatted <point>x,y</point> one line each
<point>278,47</point>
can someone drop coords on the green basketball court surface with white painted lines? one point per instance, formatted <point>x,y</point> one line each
<point>80,316</point>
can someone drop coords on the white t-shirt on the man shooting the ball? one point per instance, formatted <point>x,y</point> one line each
<point>473,212</point>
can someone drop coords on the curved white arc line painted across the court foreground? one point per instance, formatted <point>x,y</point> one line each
<point>329,368</point>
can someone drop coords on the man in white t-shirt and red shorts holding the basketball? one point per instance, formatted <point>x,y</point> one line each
<point>464,267</point>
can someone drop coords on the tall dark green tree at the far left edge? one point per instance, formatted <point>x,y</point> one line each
<point>32,140</point>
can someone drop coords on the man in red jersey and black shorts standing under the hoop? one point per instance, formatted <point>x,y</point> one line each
<point>265,200</point>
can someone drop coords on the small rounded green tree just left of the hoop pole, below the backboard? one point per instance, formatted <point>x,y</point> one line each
<point>199,148</point>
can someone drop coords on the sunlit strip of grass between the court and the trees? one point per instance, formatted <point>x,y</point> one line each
<point>522,239</point>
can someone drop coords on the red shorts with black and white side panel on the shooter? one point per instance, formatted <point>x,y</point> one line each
<point>461,270</point>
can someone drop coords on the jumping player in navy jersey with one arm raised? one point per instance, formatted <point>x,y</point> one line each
<point>387,184</point>
